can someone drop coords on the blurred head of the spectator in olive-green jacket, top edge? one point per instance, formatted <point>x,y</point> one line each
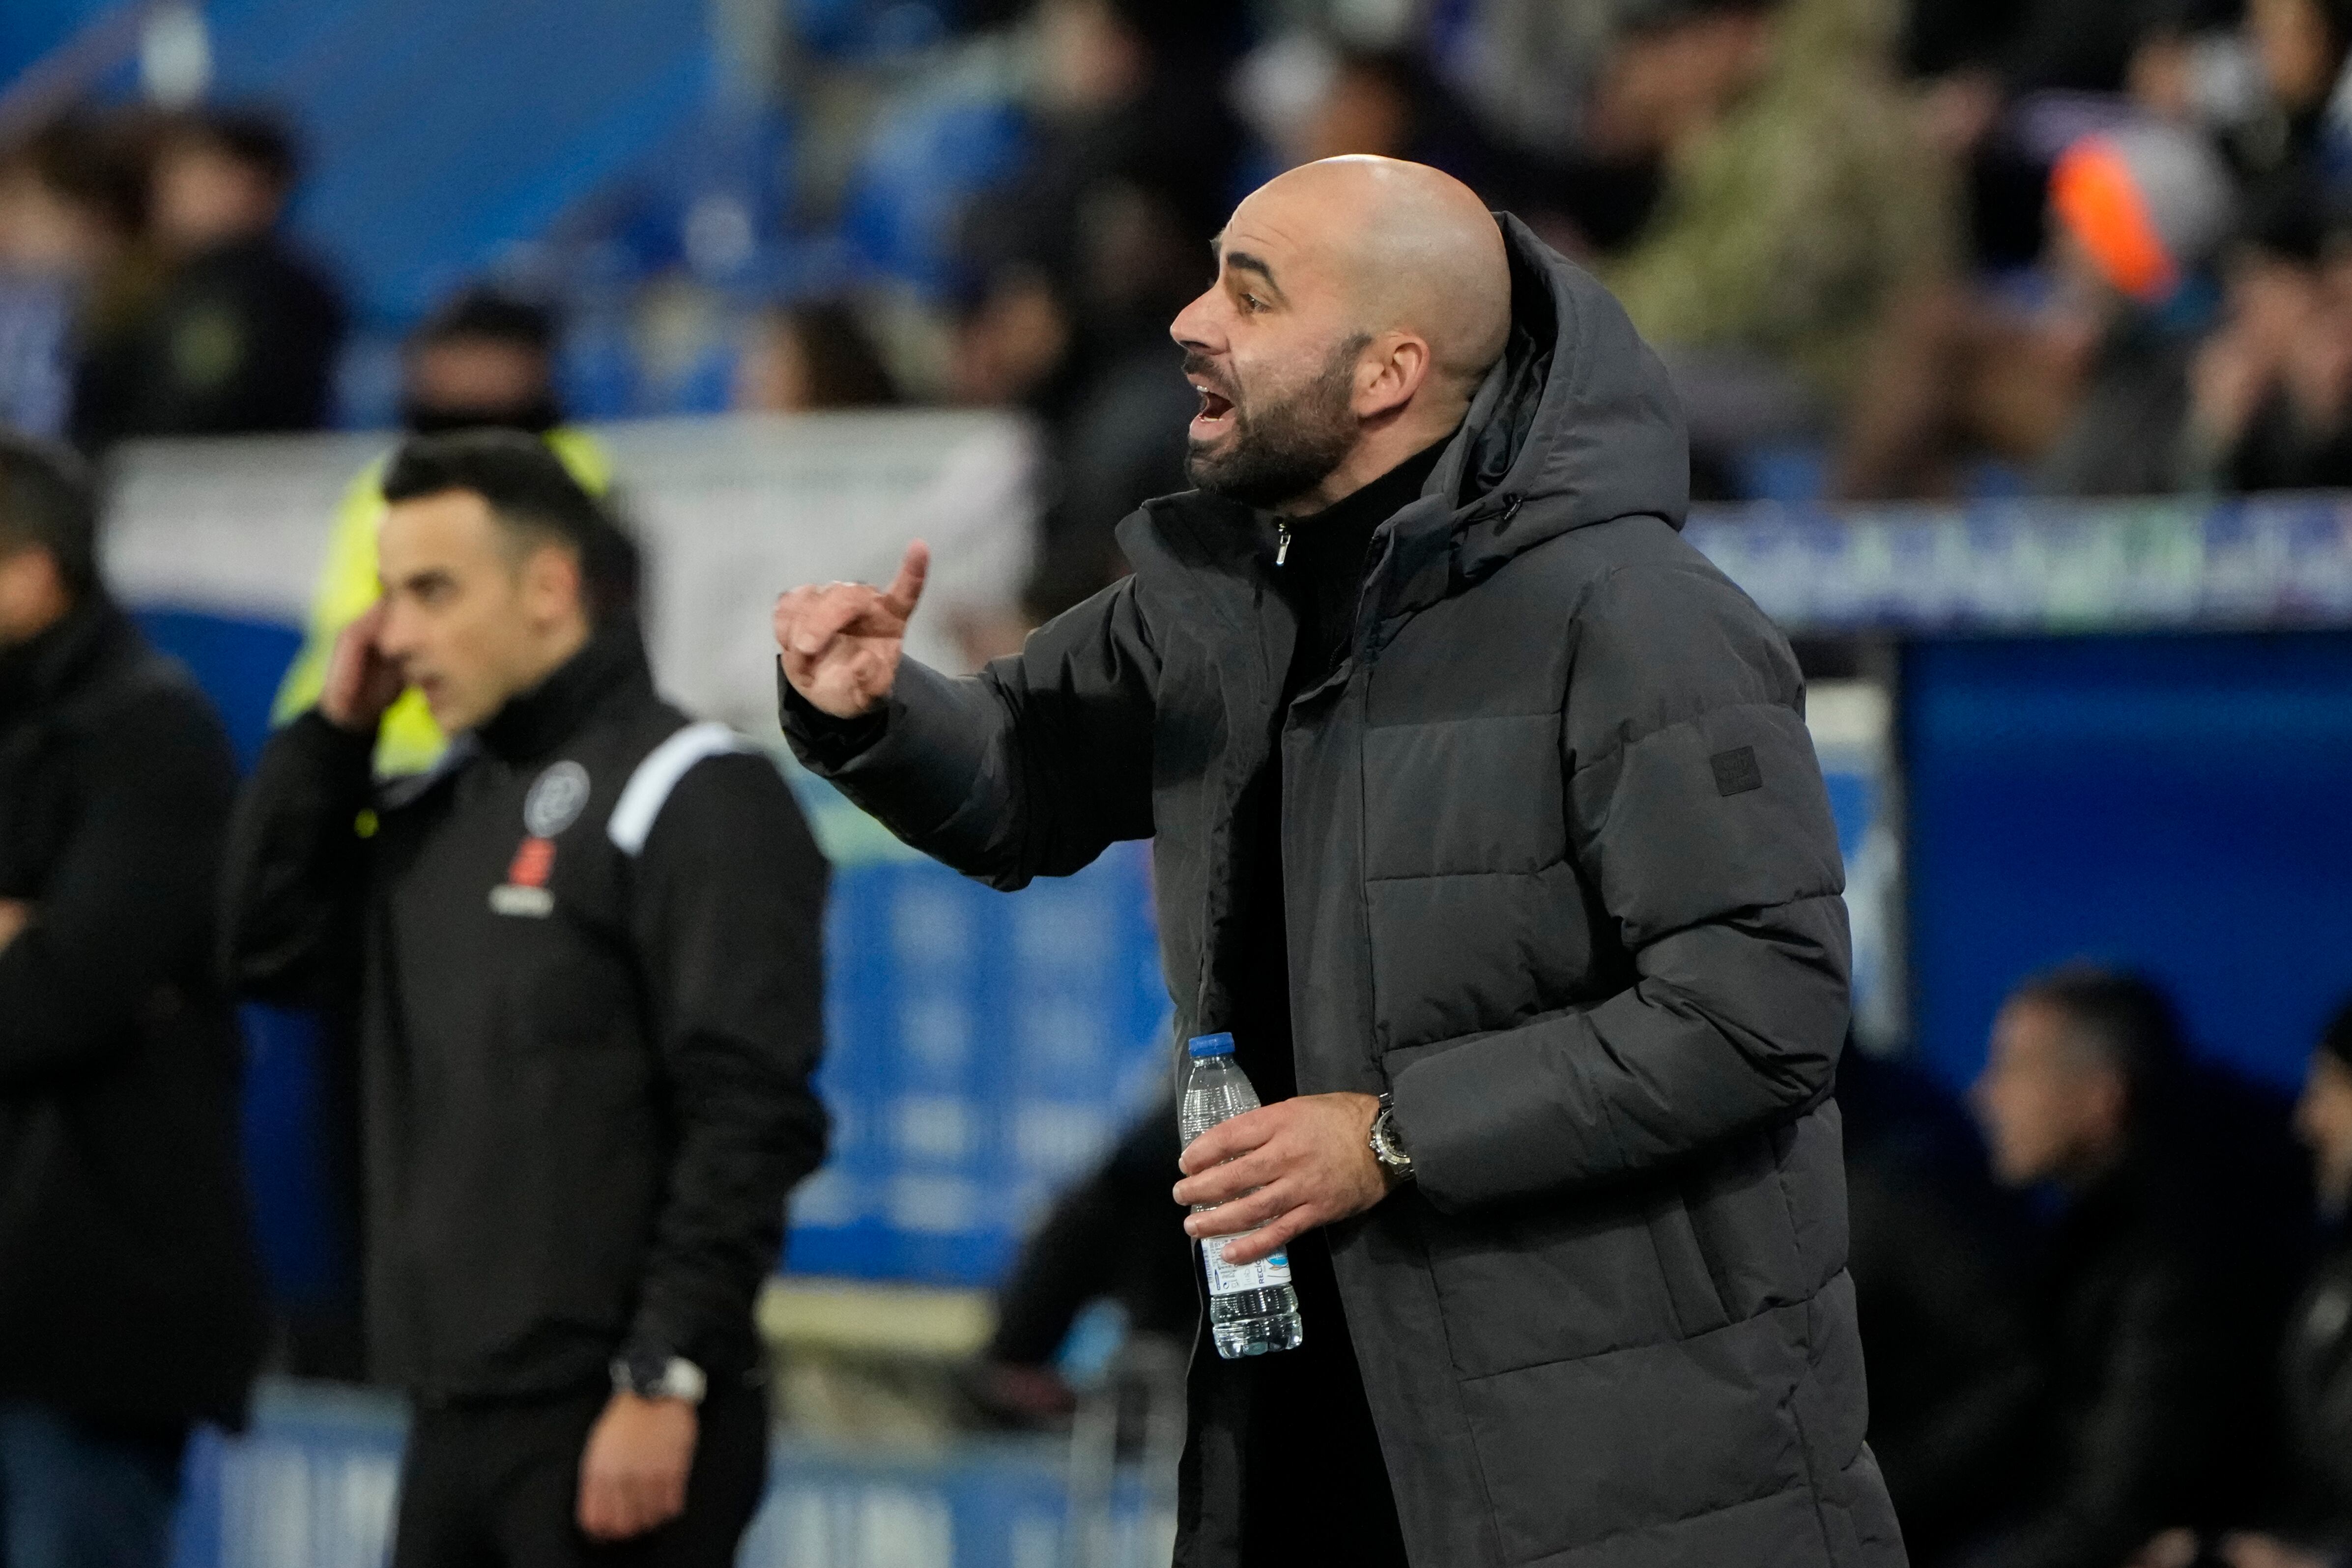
<point>1676,69</point>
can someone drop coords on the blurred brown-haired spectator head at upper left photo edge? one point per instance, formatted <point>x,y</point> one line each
<point>69,196</point>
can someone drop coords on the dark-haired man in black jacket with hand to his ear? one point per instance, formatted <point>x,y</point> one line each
<point>587,965</point>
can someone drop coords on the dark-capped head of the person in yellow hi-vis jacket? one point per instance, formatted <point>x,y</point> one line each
<point>486,359</point>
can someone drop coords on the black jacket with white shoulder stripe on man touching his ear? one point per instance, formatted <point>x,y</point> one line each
<point>589,986</point>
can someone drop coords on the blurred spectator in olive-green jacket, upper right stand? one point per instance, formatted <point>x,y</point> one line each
<point>1798,208</point>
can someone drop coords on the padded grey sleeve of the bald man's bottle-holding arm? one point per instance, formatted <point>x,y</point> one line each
<point>1699,817</point>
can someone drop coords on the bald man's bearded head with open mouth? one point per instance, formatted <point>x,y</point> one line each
<point>1358,307</point>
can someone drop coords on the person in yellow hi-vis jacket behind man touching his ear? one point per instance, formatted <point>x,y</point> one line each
<point>483,361</point>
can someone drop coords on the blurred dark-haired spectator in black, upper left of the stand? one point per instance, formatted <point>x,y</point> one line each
<point>243,333</point>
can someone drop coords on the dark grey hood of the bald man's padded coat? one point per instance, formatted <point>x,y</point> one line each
<point>1577,417</point>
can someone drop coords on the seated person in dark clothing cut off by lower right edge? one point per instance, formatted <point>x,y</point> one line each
<point>2313,1525</point>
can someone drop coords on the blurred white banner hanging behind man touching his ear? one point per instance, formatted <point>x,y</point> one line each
<point>733,511</point>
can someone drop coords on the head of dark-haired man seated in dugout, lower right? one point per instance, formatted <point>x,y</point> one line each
<point>2078,1059</point>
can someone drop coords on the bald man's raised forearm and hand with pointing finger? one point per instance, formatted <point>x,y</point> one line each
<point>1027,770</point>
